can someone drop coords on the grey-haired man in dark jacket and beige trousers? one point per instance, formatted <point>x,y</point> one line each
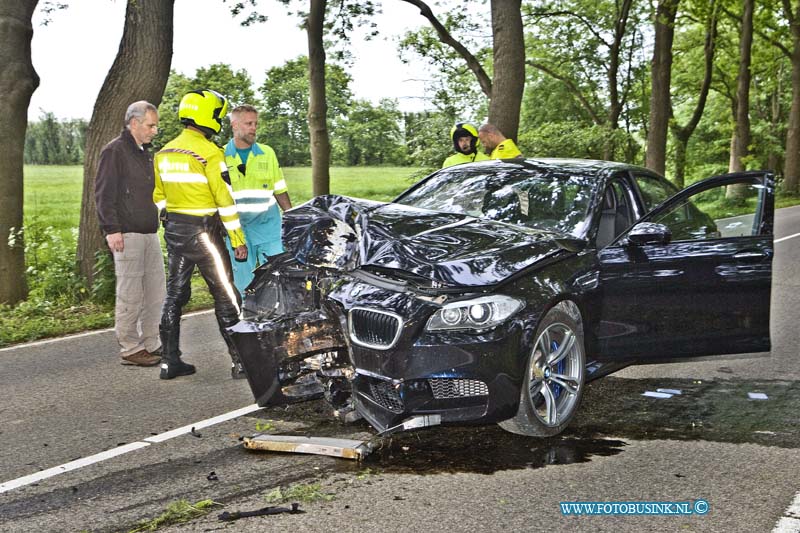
<point>129,221</point>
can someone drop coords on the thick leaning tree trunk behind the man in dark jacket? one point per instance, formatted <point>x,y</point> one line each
<point>139,72</point>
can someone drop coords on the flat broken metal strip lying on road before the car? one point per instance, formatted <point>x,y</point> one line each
<point>345,448</point>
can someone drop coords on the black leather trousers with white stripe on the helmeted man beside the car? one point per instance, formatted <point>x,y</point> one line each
<point>196,241</point>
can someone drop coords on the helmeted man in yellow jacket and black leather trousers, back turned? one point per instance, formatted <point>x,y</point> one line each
<point>192,187</point>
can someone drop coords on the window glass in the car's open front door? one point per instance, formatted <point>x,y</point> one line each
<point>719,212</point>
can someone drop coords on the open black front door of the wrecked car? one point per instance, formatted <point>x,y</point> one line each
<point>693,276</point>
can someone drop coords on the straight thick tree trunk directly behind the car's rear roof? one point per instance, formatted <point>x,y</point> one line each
<point>656,155</point>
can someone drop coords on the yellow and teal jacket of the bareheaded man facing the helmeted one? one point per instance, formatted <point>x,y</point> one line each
<point>254,191</point>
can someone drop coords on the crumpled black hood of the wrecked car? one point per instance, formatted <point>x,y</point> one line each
<point>432,248</point>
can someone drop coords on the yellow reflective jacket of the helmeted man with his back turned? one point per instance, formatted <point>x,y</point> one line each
<point>188,172</point>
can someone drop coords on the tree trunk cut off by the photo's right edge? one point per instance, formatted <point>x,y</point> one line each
<point>791,169</point>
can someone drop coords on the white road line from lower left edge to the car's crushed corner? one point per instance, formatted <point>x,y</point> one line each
<point>121,450</point>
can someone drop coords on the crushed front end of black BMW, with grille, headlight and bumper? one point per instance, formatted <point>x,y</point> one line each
<point>339,316</point>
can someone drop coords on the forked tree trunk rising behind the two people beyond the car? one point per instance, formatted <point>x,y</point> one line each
<point>505,88</point>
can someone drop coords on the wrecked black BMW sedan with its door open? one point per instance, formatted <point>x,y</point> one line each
<point>493,291</point>
